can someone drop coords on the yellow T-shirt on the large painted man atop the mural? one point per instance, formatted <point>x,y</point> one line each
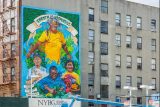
<point>53,44</point>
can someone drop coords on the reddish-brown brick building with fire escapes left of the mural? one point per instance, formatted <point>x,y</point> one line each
<point>9,48</point>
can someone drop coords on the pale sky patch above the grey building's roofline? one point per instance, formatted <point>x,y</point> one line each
<point>154,3</point>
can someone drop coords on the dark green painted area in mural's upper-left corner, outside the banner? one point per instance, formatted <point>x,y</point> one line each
<point>29,15</point>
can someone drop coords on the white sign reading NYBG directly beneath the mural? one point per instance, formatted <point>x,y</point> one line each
<point>48,102</point>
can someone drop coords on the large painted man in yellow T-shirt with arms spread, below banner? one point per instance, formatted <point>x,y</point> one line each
<point>53,40</point>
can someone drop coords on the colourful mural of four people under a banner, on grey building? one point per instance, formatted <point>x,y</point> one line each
<point>50,53</point>
